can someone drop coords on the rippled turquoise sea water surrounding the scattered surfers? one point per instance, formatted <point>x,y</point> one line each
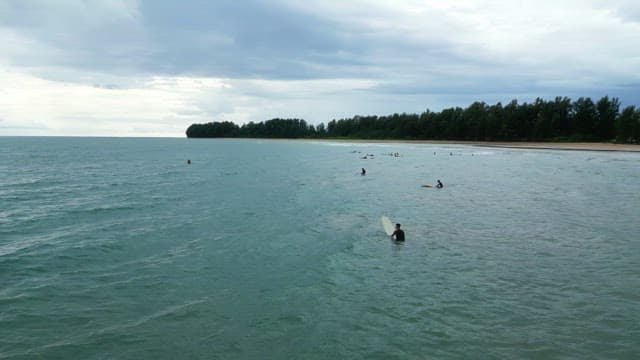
<point>116,248</point>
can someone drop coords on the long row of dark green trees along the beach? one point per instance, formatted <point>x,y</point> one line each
<point>560,119</point>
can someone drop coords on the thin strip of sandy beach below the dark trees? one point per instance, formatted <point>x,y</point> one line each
<point>577,146</point>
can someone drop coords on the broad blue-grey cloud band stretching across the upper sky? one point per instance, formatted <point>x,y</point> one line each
<point>266,40</point>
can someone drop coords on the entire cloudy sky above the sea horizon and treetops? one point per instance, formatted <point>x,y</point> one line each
<point>153,67</point>
